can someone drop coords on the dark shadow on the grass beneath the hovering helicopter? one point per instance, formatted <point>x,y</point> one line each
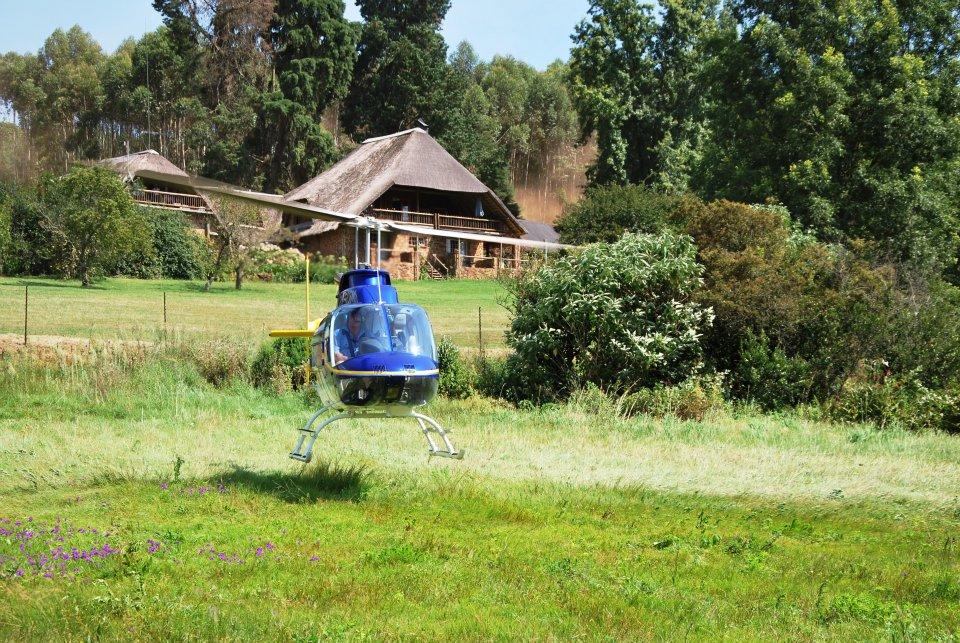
<point>318,481</point>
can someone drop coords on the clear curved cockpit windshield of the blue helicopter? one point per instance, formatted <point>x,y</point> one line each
<point>377,328</point>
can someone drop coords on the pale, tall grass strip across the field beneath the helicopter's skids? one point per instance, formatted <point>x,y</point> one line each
<point>138,410</point>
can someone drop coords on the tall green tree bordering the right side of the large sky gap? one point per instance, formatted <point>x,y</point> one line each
<point>636,83</point>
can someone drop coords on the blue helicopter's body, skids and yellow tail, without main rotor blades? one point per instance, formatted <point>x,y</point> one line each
<point>374,357</point>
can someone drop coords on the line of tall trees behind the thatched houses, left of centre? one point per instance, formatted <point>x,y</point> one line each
<point>269,93</point>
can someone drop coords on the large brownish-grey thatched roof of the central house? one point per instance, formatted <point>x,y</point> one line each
<point>411,158</point>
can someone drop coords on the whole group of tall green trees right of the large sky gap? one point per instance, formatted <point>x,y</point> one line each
<point>843,111</point>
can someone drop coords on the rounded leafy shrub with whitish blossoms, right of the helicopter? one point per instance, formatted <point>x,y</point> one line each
<point>619,315</point>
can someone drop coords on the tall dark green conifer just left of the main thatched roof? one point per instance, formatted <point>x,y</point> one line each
<point>314,53</point>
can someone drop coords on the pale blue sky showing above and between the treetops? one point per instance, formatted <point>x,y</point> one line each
<point>537,32</point>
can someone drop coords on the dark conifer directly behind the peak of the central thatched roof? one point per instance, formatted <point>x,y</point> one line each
<point>400,71</point>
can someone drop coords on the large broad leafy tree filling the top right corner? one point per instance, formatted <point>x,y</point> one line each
<point>848,117</point>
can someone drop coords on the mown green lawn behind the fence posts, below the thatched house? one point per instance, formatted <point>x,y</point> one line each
<point>133,308</point>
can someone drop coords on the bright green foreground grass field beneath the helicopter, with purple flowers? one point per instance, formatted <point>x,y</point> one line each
<point>139,502</point>
